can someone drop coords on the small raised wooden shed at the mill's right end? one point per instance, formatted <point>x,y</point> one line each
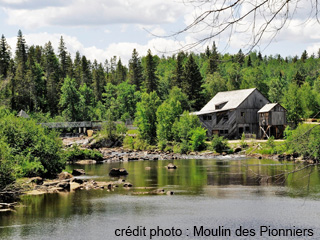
<point>272,120</point>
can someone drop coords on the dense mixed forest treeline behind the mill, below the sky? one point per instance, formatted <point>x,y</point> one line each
<point>43,82</point>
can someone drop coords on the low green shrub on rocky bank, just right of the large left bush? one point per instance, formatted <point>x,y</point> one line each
<point>75,153</point>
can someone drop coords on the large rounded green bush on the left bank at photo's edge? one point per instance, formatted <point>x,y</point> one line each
<point>35,150</point>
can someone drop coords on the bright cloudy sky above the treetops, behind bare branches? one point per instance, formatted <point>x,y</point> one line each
<point>101,29</point>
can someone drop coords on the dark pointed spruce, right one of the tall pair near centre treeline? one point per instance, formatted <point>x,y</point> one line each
<point>151,80</point>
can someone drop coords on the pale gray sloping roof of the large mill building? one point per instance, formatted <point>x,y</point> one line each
<point>232,98</point>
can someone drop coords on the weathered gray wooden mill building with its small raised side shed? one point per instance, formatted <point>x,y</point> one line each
<point>232,113</point>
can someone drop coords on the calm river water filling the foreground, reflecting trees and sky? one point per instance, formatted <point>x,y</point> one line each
<point>225,193</point>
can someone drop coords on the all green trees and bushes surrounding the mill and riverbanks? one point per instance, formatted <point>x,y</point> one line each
<point>156,93</point>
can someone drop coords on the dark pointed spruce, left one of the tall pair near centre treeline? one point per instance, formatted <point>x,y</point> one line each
<point>135,70</point>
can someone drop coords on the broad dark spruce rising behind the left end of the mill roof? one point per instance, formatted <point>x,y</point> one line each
<point>192,83</point>
